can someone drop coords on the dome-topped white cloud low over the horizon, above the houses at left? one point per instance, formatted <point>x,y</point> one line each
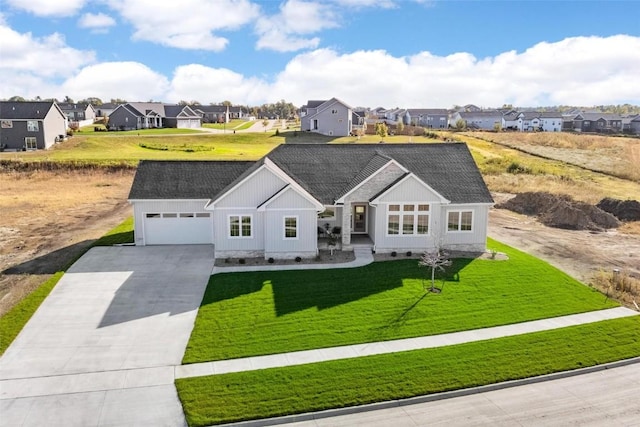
<point>132,81</point>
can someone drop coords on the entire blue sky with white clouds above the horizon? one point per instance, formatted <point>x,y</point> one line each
<point>410,53</point>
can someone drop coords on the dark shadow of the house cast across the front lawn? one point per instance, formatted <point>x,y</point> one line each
<point>298,290</point>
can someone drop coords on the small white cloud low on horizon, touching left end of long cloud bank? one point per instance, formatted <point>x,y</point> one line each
<point>205,84</point>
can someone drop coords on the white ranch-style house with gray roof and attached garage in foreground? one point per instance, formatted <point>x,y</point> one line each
<point>397,197</point>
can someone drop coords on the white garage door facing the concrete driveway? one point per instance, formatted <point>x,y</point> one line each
<point>178,228</point>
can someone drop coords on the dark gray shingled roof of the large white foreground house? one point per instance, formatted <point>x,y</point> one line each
<point>326,171</point>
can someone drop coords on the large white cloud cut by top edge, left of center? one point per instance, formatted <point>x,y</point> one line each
<point>187,24</point>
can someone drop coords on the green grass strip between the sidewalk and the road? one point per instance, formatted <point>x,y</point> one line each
<point>349,382</point>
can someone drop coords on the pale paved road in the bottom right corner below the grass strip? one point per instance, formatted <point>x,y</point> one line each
<point>604,398</point>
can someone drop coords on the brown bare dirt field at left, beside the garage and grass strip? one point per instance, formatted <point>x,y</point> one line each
<point>48,218</point>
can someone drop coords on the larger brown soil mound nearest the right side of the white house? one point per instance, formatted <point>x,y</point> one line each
<point>561,211</point>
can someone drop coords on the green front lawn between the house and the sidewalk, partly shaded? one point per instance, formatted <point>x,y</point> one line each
<point>255,313</point>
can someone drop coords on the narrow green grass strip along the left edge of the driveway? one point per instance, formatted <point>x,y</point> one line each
<point>14,320</point>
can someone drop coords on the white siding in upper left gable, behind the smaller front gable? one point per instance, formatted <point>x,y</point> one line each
<point>253,192</point>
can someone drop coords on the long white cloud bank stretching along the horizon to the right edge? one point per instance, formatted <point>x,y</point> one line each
<point>565,72</point>
